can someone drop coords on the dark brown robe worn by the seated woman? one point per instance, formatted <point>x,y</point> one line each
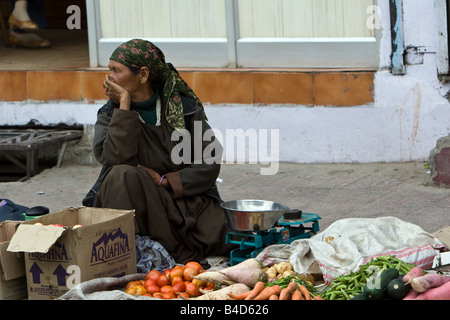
<point>185,219</point>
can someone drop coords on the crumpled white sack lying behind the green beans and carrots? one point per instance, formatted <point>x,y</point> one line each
<point>356,241</point>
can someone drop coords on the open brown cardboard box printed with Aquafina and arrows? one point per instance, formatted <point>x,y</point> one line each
<point>58,258</point>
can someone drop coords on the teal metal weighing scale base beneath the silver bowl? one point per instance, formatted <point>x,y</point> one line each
<point>285,230</point>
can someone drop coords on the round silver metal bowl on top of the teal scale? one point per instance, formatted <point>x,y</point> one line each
<point>252,215</point>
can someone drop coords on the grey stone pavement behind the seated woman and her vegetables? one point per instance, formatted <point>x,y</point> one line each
<point>333,191</point>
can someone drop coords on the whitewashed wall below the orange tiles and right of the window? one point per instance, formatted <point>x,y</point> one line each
<point>407,117</point>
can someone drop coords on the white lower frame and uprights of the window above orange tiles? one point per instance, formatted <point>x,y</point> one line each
<point>236,52</point>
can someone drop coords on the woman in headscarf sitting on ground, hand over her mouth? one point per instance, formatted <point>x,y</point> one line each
<point>176,202</point>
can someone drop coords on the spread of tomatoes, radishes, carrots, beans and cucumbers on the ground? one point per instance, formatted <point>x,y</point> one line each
<point>385,277</point>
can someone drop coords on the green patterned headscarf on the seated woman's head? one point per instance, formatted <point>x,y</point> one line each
<point>139,53</point>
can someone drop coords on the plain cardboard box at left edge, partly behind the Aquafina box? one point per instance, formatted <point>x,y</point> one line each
<point>13,283</point>
